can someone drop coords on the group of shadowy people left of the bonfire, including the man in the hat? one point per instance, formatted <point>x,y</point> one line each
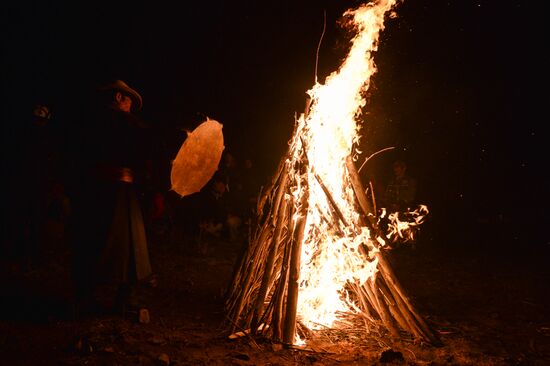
<point>101,189</point>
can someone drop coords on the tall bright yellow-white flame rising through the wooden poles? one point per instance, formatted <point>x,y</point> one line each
<point>325,137</point>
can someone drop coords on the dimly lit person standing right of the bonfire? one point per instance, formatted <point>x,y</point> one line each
<point>400,193</point>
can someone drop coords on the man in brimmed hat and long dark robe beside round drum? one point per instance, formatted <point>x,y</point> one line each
<point>112,173</point>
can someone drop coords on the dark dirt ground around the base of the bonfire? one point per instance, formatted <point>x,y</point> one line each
<point>487,309</point>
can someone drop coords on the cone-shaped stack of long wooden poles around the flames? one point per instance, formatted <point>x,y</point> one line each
<point>262,297</point>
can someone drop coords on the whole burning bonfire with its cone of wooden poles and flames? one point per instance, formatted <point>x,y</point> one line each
<point>316,259</point>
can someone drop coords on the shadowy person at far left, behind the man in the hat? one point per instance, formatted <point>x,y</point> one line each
<point>38,206</point>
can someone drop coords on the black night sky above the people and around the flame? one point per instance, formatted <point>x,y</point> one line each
<point>458,92</point>
